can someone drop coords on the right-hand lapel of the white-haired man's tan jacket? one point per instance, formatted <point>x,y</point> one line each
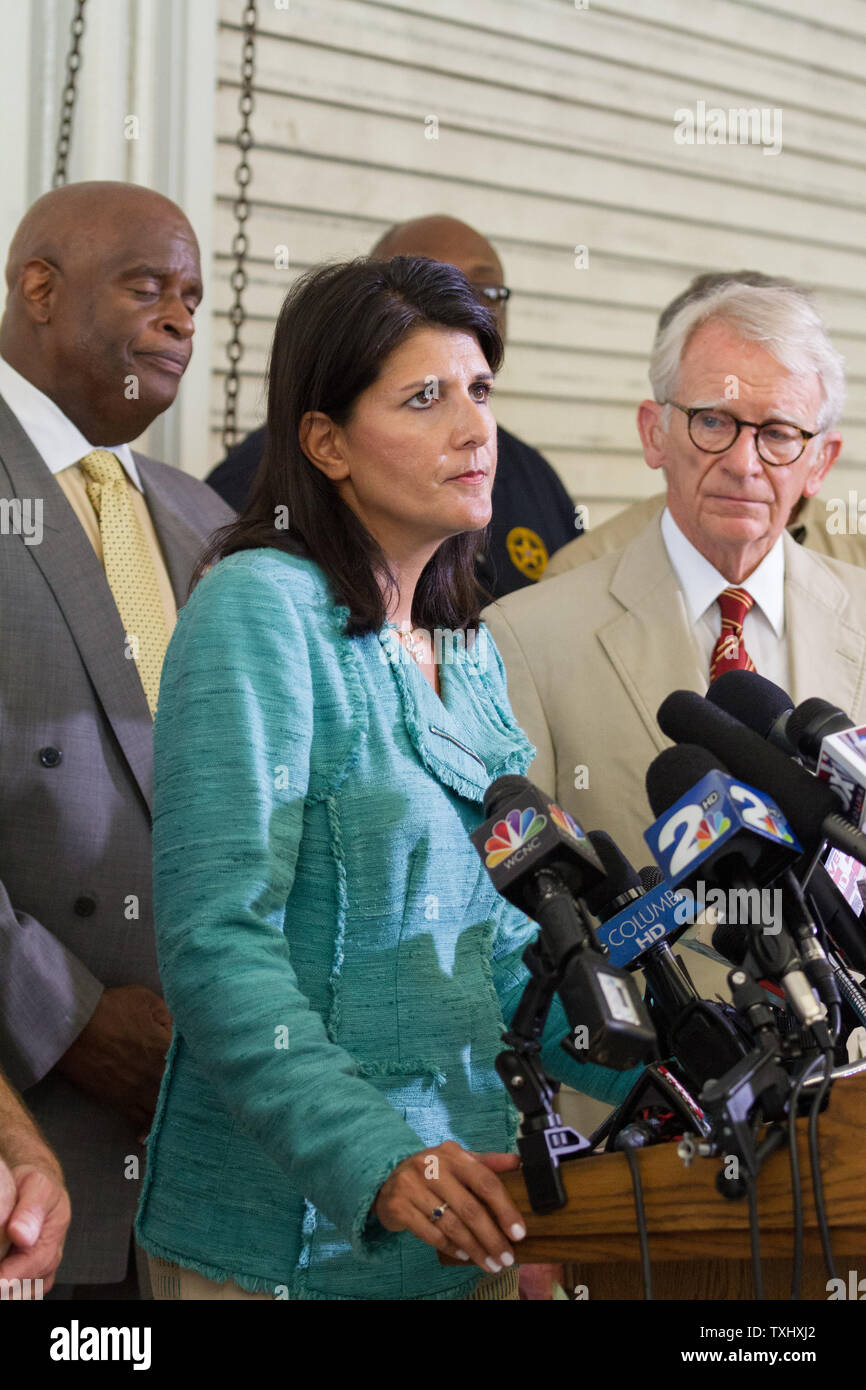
<point>826,648</point>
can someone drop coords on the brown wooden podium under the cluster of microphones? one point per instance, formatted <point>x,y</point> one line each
<point>700,1241</point>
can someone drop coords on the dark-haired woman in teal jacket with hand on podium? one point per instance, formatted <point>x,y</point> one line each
<point>337,963</point>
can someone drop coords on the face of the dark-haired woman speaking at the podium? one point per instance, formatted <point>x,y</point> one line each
<point>420,448</point>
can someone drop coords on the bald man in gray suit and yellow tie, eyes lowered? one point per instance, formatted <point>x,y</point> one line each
<point>104,284</point>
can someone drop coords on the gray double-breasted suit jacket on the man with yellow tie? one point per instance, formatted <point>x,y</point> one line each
<point>76,796</point>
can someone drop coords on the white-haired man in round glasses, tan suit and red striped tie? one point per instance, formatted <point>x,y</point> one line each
<point>749,391</point>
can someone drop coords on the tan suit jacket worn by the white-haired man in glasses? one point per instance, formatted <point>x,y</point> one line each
<point>591,654</point>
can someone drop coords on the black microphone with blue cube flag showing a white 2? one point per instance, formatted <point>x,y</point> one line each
<point>735,843</point>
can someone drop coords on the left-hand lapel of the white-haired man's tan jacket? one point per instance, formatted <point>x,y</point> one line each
<point>651,646</point>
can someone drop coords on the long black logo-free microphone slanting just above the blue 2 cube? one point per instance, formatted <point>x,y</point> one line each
<point>811,807</point>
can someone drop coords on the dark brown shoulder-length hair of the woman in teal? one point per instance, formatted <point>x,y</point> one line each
<point>337,327</point>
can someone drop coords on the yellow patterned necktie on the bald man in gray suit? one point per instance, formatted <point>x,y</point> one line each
<point>129,568</point>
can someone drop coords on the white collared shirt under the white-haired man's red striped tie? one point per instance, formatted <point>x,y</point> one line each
<point>764,630</point>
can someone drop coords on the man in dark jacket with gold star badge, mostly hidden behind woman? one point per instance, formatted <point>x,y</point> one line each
<point>533,514</point>
